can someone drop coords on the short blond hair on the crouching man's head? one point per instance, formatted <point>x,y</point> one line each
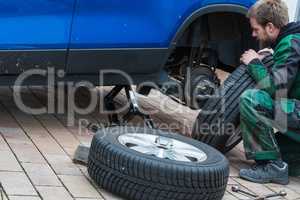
<point>270,11</point>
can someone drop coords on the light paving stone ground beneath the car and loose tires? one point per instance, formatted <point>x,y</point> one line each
<point>36,151</point>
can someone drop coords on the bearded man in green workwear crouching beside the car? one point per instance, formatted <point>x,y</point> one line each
<point>274,105</point>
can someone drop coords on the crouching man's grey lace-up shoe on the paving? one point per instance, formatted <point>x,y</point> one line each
<point>270,172</point>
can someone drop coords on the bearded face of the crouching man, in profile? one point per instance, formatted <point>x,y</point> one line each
<point>261,33</point>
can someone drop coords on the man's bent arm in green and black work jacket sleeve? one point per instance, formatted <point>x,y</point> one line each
<point>284,71</point>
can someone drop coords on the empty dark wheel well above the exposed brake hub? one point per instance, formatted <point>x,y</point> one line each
<point>226,35</point>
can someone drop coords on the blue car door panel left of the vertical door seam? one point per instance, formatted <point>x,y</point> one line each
<point>34,34</point>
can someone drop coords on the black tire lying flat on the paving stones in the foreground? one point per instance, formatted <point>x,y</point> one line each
<point>134,175</point>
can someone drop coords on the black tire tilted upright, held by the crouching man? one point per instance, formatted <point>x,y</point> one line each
<point>218,122</point>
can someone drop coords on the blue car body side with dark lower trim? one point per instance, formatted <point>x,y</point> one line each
<point>85,36</point>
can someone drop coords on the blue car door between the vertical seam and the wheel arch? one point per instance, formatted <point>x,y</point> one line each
<point>128,35</point>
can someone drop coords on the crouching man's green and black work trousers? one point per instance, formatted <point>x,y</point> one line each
<point>262,118</point>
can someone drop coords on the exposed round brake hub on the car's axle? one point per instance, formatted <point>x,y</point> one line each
<point>202,81</point>
